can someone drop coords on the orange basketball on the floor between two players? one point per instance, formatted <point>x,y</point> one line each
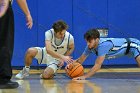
<point>75,69</point>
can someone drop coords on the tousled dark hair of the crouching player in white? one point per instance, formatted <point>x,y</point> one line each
<point>59,26</point>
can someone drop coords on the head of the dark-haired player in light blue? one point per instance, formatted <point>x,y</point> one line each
<point>92,37</point>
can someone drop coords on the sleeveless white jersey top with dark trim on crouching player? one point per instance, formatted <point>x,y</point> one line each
<point>64,44</point>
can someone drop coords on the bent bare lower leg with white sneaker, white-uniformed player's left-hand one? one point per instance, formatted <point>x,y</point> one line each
<point>30,54</point>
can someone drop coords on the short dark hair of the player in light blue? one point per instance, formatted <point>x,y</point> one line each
<point>91,34</point>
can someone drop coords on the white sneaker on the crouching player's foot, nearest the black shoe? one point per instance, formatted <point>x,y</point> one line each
<point>23,73</point>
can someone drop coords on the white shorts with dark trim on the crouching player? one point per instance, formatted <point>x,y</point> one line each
<point>44,58</point>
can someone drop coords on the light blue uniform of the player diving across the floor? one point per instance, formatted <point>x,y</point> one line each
<point>115,47</point>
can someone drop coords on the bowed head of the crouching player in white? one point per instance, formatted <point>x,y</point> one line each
<point>60,28</point>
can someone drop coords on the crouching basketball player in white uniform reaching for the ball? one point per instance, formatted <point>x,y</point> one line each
<point>59,45</point>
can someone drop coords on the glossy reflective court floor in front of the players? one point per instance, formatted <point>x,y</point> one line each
<point>102,82</point>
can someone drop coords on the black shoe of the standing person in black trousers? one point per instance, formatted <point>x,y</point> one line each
<point>9,85</point>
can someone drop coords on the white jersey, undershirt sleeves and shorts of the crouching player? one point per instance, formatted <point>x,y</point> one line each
<point>59,45</point>
